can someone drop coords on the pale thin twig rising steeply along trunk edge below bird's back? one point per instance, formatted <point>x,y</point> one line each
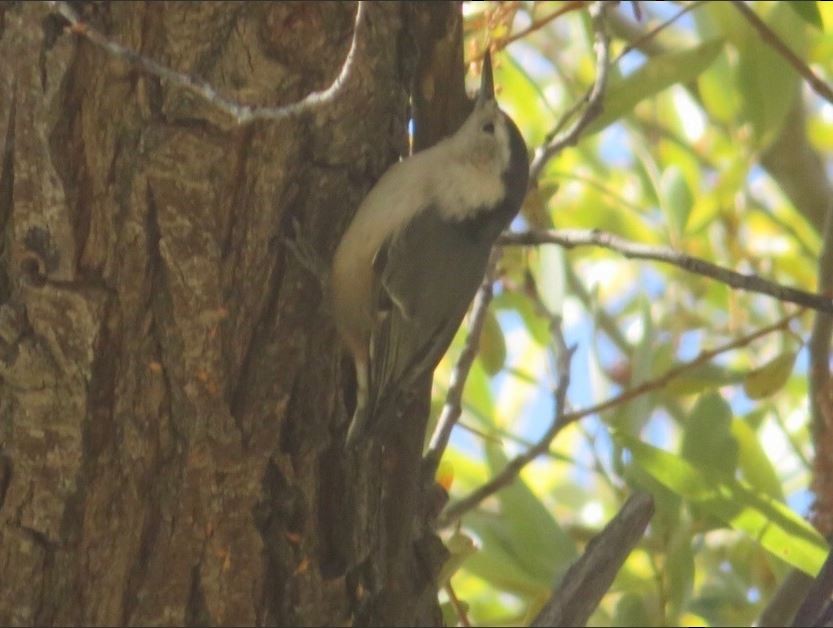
<point>453,407</point>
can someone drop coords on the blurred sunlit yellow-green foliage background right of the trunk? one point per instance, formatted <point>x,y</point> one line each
<point>709,143</point>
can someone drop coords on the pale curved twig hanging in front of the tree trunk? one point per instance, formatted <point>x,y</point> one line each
<point>242,114</point>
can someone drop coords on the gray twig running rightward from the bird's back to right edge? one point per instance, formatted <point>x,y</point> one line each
<point>570,238</point>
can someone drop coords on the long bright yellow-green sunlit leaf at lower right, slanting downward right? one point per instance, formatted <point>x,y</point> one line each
<point>766,521</point>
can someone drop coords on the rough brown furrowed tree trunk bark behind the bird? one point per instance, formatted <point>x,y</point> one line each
<point>173,399</point>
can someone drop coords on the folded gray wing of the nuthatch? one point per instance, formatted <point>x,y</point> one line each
<point>426,277</point>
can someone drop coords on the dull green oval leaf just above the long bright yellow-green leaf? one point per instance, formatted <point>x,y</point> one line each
<point>708,440</point>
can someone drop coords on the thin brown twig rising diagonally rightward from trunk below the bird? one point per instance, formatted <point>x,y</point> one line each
<point>513,468</point>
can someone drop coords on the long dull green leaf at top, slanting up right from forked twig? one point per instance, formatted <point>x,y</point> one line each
<point>658,73</point>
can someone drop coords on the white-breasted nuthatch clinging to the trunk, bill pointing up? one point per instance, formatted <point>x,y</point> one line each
<point>414,255</point>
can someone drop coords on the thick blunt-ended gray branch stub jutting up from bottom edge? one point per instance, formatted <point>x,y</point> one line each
<point>589,578</point>
